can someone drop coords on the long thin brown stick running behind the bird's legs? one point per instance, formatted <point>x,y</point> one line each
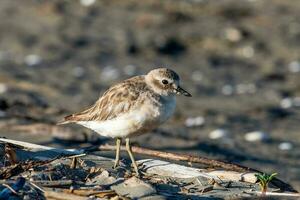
<point>195,159</point>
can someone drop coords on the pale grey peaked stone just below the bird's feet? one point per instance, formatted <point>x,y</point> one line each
<point>134,188</point>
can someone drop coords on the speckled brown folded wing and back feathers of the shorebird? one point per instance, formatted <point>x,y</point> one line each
<point>116,100</point>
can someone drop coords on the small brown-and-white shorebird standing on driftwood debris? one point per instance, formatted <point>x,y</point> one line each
<point>132,107</point>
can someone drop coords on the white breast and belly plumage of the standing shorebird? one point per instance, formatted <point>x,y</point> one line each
<point>146,117</point>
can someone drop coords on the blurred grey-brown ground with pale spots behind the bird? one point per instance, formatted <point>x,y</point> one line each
<point>239,59</point>
